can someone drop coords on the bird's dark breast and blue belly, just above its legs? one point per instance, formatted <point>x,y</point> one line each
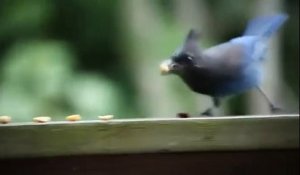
<point>212,84</point>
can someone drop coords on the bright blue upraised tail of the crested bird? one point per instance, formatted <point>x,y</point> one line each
<point>265,26</point>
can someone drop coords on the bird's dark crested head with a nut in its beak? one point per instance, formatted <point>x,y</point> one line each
<point>184,58</point>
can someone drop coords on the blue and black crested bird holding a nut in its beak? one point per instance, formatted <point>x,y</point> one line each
<point>228,68</point>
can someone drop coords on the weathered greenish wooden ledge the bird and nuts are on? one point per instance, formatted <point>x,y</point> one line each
<point>118,136</point>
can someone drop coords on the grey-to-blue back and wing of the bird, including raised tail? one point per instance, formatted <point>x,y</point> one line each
<point>251,46</point>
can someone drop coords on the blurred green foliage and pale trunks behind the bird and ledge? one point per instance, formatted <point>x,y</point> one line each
<point>101,57</point>
